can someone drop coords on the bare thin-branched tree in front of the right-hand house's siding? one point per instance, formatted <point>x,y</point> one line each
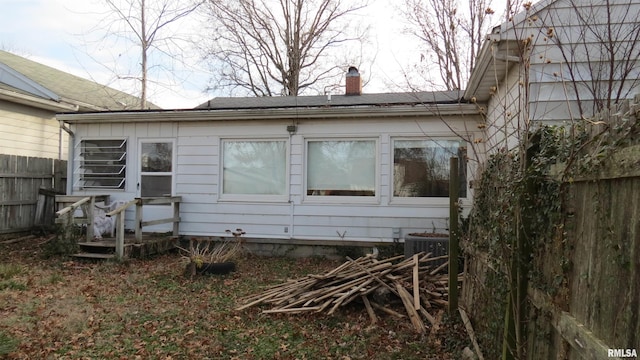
<point>598,57</point>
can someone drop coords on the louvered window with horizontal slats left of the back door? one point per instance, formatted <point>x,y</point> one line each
<point>102,164</point>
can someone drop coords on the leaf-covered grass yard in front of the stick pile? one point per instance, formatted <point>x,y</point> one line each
<point>148,309</point>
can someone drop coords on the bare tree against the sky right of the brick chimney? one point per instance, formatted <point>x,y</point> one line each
<point>452,35</point>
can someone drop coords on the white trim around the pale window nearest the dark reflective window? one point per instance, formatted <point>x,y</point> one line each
<point>320,199</point>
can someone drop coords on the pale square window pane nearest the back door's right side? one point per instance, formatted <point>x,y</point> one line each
<point>254,167</point>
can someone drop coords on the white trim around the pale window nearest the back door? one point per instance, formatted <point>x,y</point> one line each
<point>254,198</point>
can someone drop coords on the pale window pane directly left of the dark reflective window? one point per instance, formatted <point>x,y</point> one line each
<point>341,168</point>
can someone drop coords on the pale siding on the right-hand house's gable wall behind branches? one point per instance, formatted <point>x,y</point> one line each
<point>552,96</point>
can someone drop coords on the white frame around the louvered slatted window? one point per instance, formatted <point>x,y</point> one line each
<point>78,165</point>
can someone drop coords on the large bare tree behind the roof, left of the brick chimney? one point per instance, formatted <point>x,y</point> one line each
<point>280,47</point>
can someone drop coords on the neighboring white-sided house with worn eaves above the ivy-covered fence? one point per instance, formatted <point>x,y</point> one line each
<point>557,61</point>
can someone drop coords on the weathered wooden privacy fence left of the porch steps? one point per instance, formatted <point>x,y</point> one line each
<point>27,189</point>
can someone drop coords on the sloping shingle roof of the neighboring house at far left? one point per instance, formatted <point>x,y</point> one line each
<point>71,88</point>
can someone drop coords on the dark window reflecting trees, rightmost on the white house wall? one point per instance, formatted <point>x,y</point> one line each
<point>421,167</point>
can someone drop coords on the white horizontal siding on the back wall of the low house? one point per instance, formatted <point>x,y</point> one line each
<point>204,212</point>
